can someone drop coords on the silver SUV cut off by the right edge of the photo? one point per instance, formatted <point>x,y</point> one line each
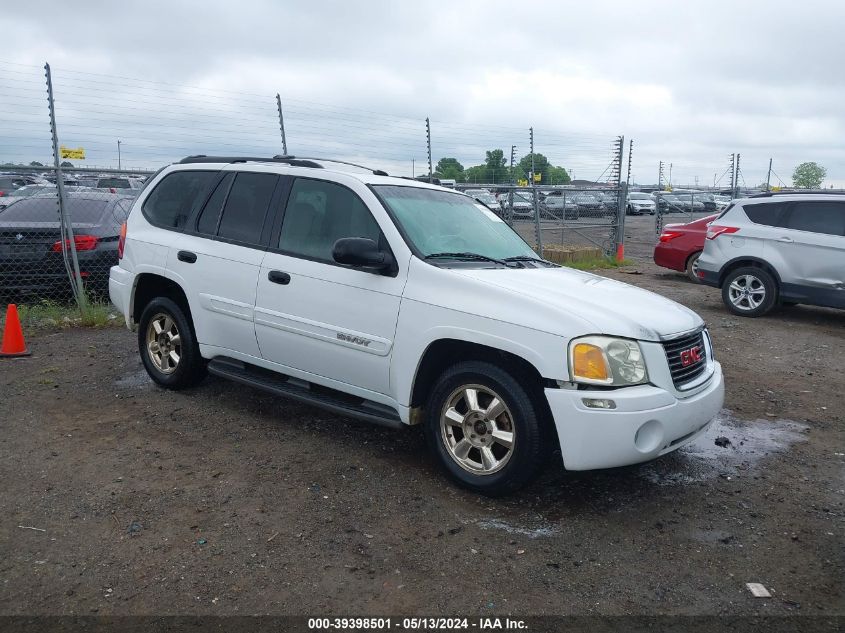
<point>777,248</point>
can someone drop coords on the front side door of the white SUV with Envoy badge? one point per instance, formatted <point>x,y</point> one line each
<point>317,316</point>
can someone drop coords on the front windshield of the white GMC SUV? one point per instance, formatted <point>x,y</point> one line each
<point>442,222</point>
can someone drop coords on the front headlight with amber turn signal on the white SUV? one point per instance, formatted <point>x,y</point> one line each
<point>602,360</point>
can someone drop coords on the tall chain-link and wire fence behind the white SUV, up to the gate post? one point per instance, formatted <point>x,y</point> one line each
<point>76,148</point>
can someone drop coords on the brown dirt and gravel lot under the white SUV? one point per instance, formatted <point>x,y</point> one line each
<point>224,500</point>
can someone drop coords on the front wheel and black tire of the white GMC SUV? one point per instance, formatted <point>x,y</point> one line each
<point>519,425</point>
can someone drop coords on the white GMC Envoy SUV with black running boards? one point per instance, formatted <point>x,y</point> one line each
<point>404,303</point>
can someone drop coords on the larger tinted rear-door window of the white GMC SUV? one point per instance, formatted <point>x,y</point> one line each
<point>246,207</point>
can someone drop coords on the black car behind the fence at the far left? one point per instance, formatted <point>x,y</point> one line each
<point>31,261</point>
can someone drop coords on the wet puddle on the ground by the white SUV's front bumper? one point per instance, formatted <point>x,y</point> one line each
<point>749,442</point>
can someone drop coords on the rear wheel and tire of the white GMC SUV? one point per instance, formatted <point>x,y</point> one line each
<point>164,327</point>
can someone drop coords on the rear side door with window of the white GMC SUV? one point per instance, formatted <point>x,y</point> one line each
<point>218,257</point>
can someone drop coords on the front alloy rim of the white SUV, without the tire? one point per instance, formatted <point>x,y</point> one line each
<point>477,429</point>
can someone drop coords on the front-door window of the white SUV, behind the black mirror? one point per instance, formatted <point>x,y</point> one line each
<point>320,213</point>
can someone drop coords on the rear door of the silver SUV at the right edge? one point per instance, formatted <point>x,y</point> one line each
<point>812,244</point>
